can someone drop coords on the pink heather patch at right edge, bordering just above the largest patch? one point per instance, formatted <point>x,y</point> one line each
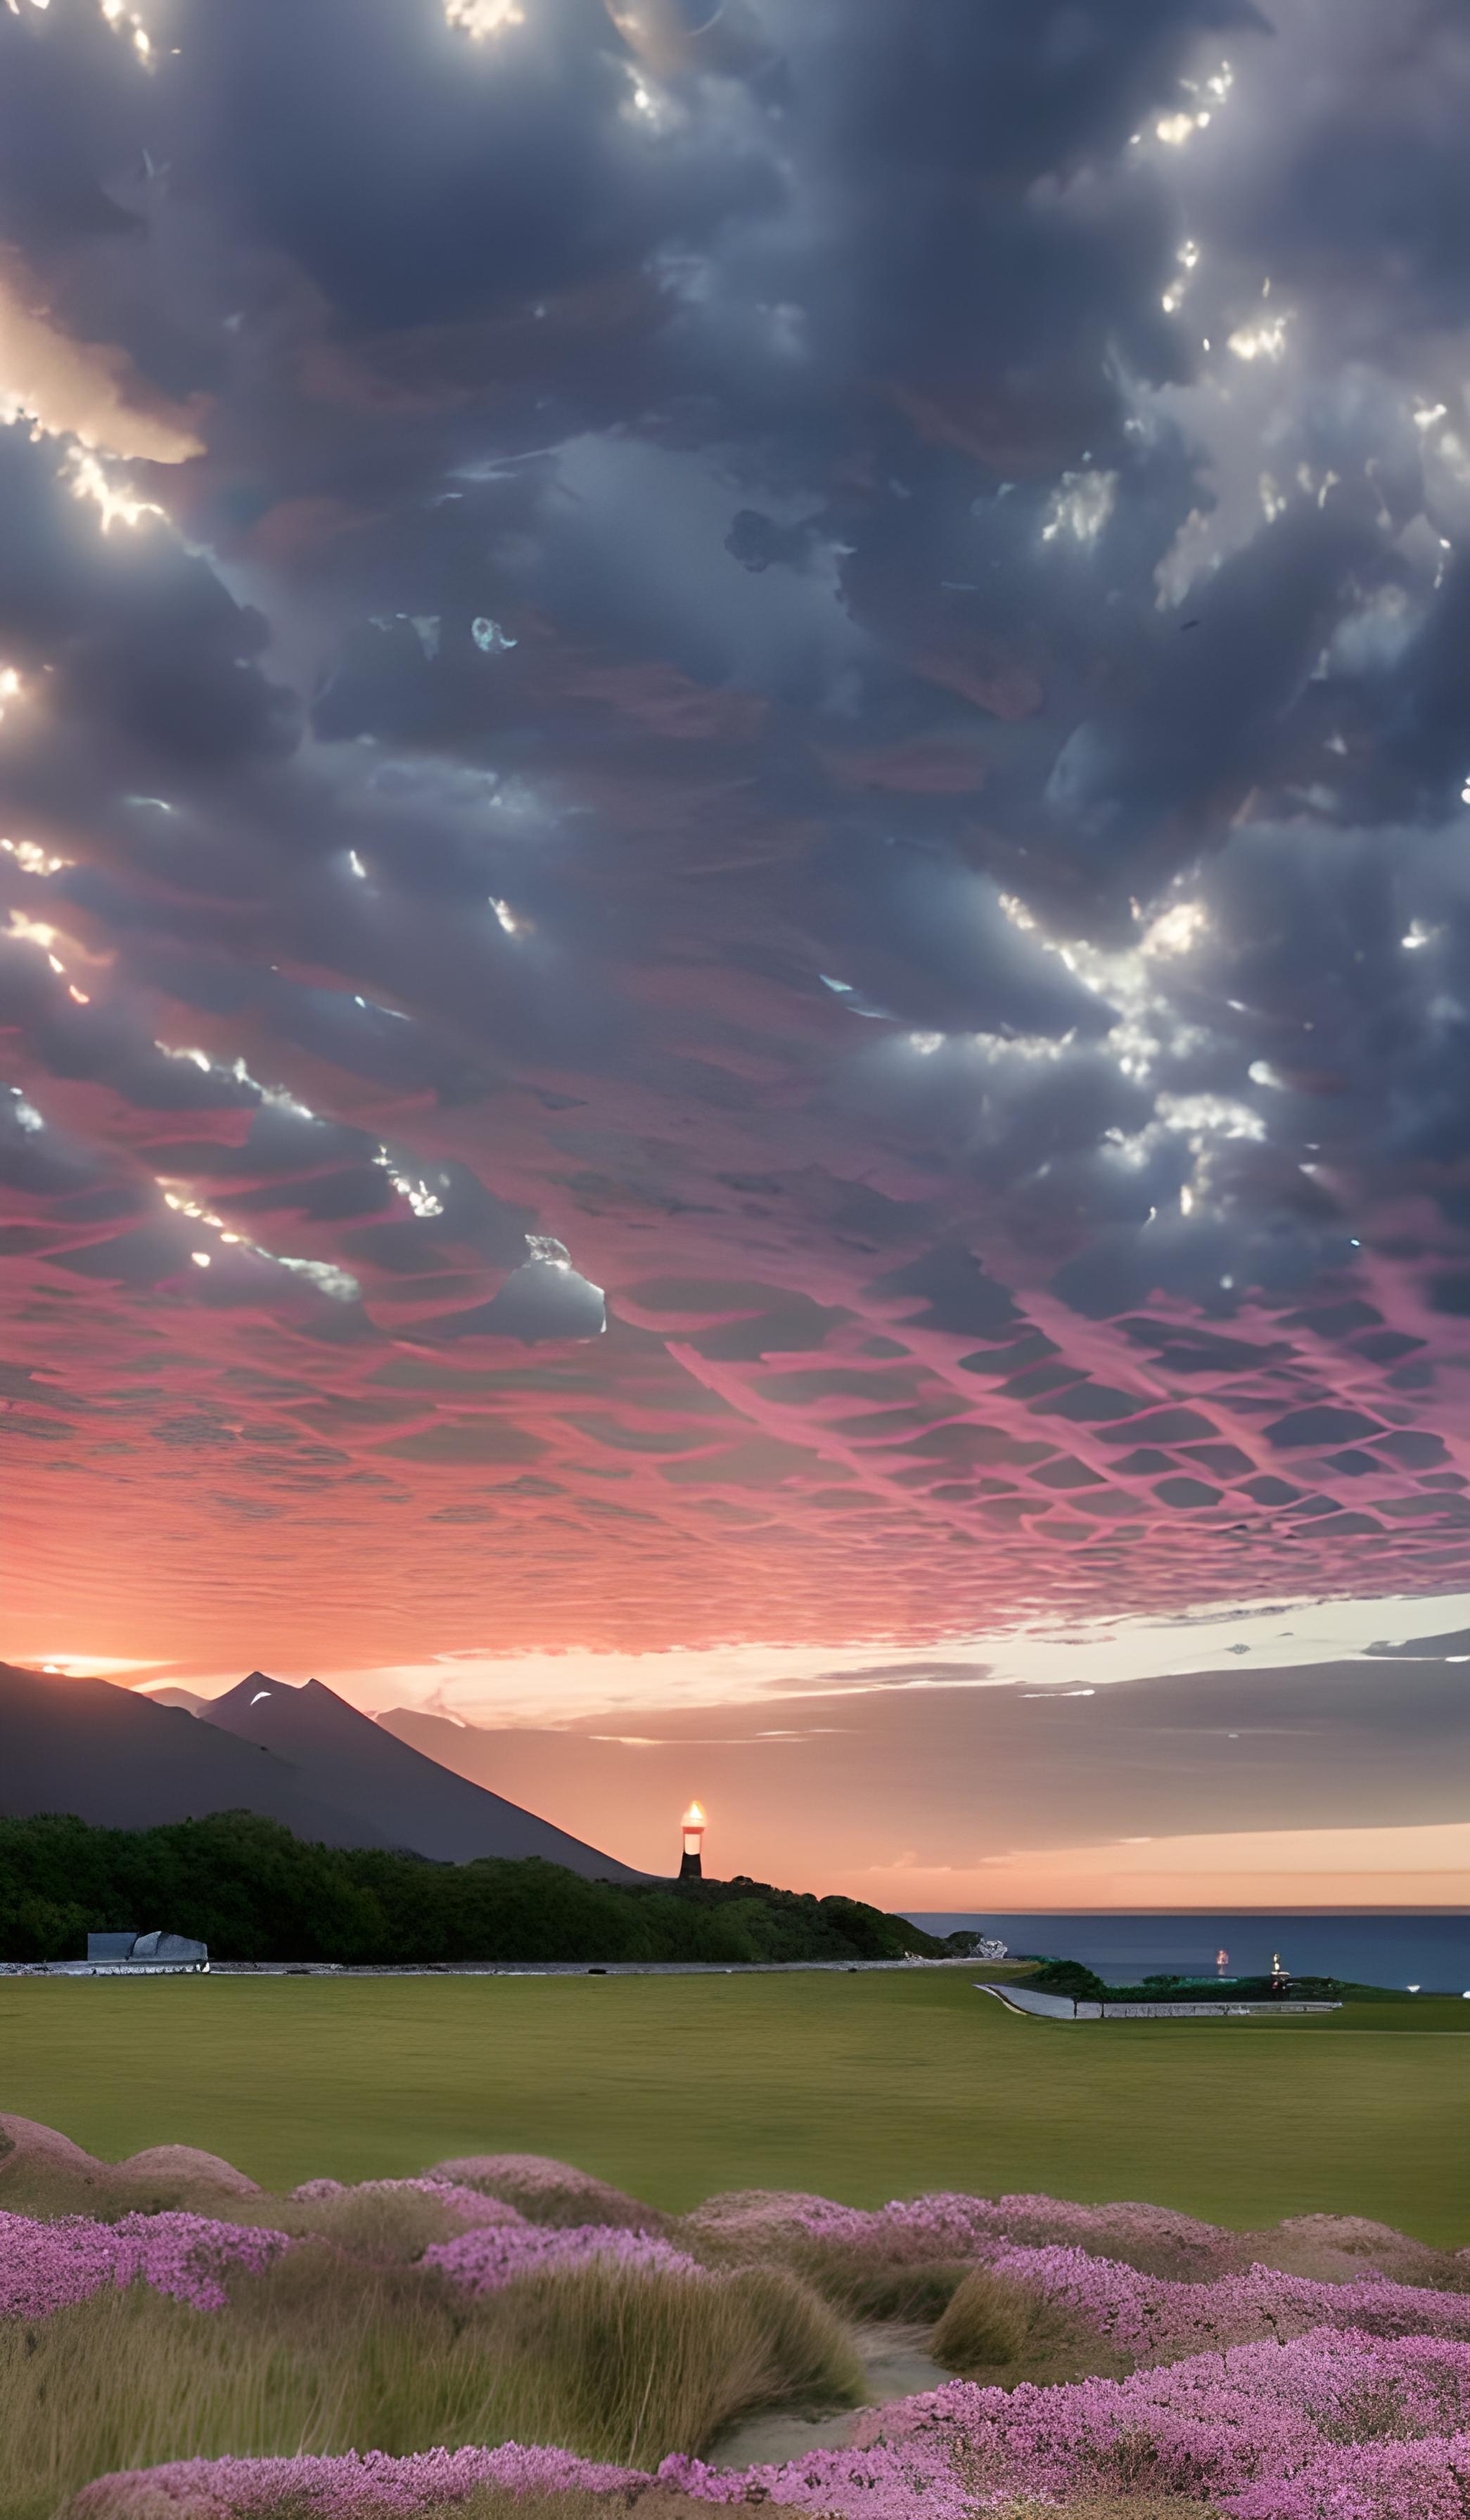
<point>1156,2320</point>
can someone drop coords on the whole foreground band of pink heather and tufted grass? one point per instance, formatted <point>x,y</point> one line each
<point>506,2337</point>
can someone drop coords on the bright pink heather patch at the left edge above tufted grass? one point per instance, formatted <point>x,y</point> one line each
<point>47,2267</point>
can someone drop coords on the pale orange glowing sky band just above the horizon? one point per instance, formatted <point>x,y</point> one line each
<point>813,1773</point>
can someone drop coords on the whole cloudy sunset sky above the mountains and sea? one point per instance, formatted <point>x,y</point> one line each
<point>735,790</point>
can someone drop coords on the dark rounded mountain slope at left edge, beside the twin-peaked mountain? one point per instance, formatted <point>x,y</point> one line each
<point>125,1763</point>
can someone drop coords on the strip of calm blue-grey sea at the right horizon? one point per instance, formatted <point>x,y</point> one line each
<point>1401,1949</point>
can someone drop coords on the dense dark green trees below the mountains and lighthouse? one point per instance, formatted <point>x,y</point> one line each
<point>256,1894</point>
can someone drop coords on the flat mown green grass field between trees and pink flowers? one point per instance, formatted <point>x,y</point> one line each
<point>854,2085</point>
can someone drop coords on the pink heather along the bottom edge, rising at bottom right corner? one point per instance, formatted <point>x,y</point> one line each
<point>1325,2428</point>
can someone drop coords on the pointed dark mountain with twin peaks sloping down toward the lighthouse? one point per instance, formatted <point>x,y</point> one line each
<point>392,1788</point>
